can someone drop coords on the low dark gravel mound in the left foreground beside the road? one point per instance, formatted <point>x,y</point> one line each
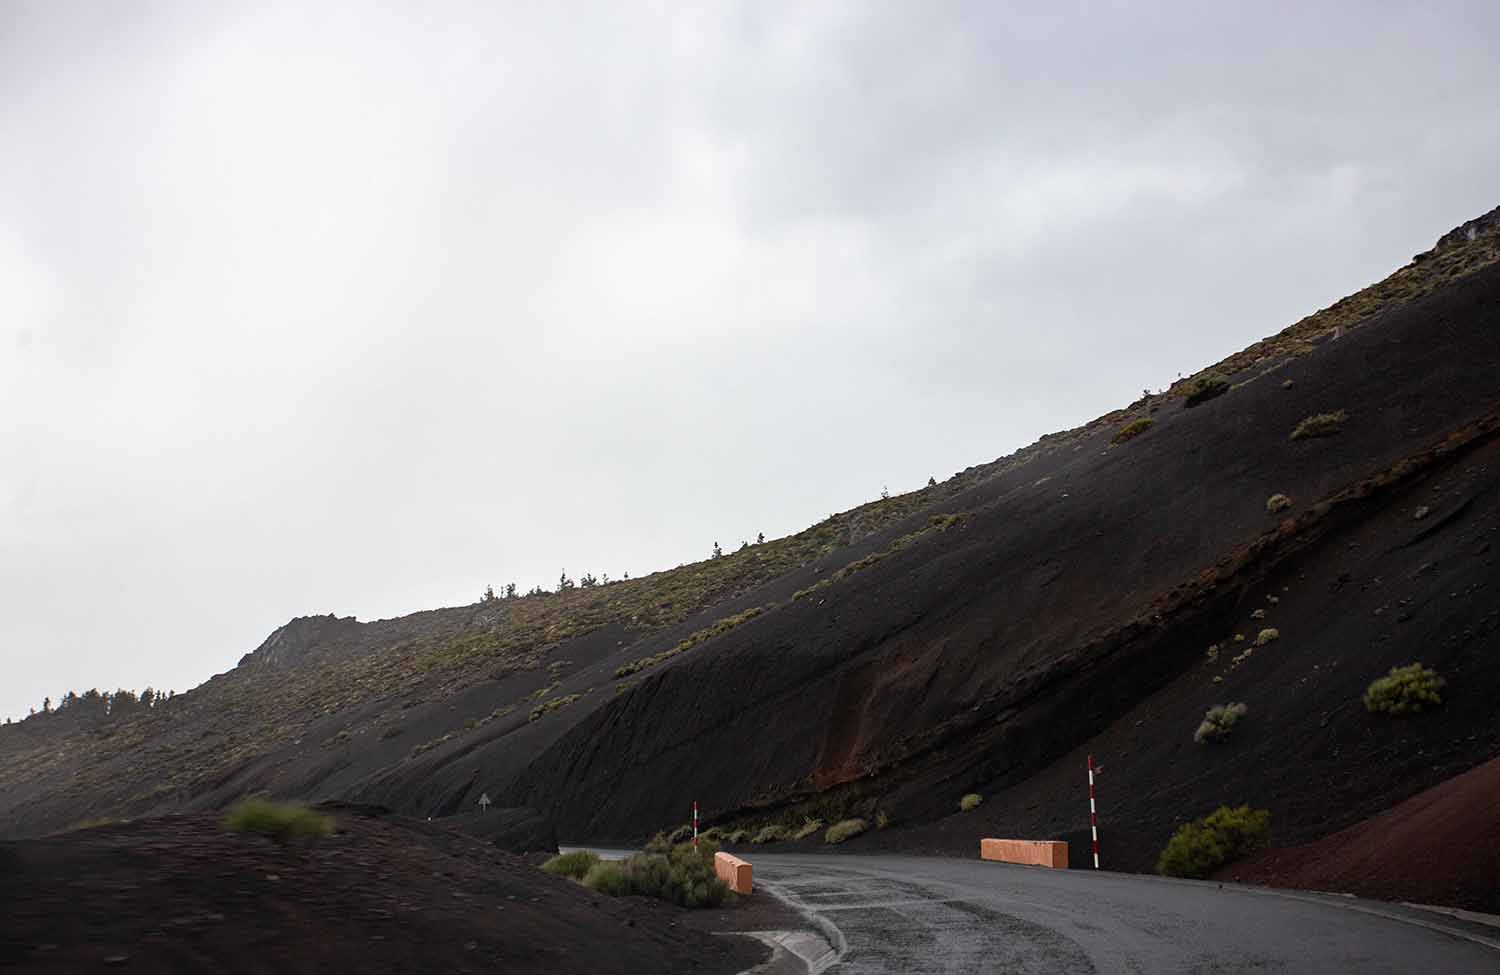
<point>178,895</point>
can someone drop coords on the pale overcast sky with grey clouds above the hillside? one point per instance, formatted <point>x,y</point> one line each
<point>359,310</point>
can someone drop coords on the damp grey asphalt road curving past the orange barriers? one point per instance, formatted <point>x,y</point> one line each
<point>914,916</point>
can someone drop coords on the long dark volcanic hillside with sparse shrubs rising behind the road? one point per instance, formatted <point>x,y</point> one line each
<point>1094,593</point>
